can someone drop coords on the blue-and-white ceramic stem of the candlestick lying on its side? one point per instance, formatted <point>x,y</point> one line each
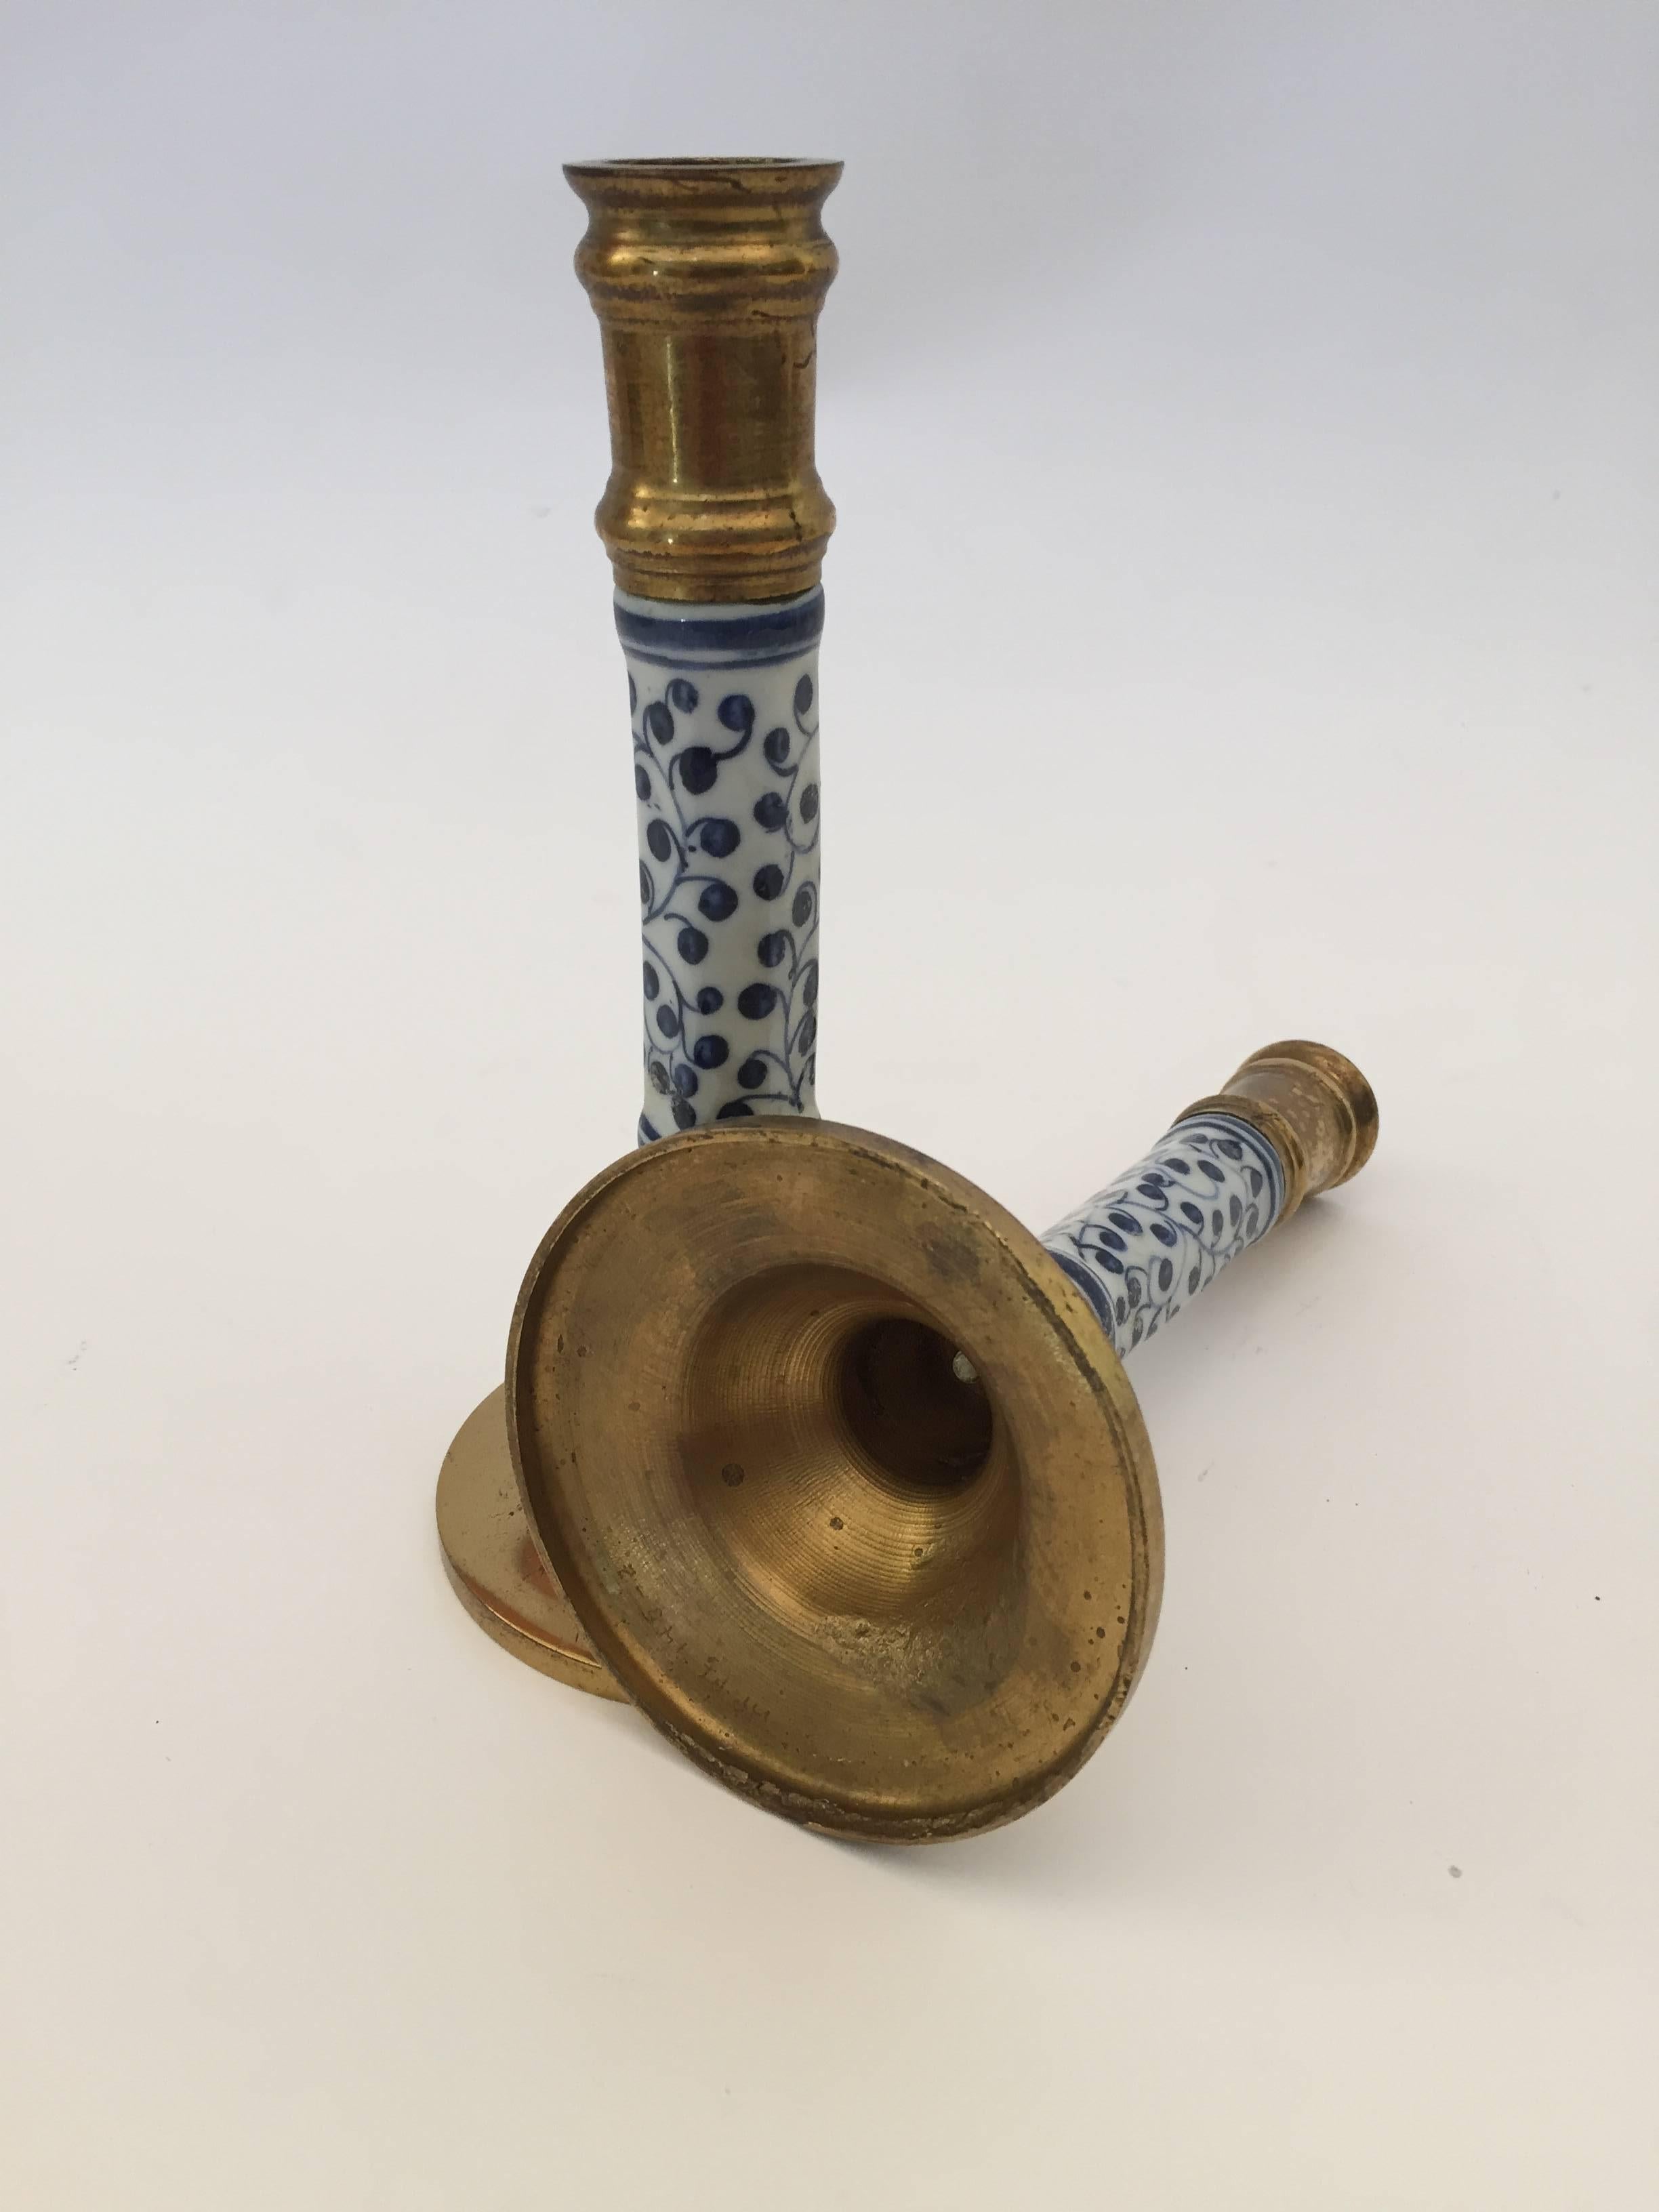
<point>1156,1238</point>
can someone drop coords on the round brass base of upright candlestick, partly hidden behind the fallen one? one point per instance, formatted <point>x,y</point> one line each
<point>494,1565</point>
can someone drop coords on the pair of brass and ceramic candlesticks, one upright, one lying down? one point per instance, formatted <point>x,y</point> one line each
<point>806,1446</point>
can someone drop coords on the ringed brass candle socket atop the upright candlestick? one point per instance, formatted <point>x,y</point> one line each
<point>707,280</point>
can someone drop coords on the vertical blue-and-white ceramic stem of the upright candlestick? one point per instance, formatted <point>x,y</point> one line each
<point>724,707</point>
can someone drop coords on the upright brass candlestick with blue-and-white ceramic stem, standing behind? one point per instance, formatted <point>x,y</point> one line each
<point>707,280</point>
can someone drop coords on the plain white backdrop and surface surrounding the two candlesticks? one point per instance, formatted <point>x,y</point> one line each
<point>1242,625</point>
